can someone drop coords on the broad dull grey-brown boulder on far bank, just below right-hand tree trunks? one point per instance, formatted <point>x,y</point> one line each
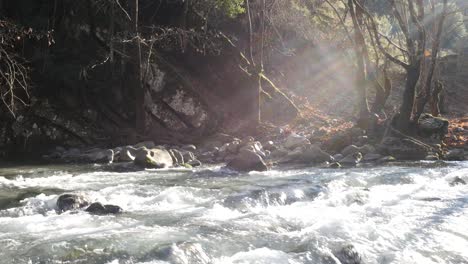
<point>403,148</point>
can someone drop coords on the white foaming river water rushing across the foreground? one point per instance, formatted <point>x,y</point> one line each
<point>401,213</point>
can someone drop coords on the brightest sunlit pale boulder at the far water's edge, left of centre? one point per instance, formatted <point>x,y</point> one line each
<point>153,158</point>
